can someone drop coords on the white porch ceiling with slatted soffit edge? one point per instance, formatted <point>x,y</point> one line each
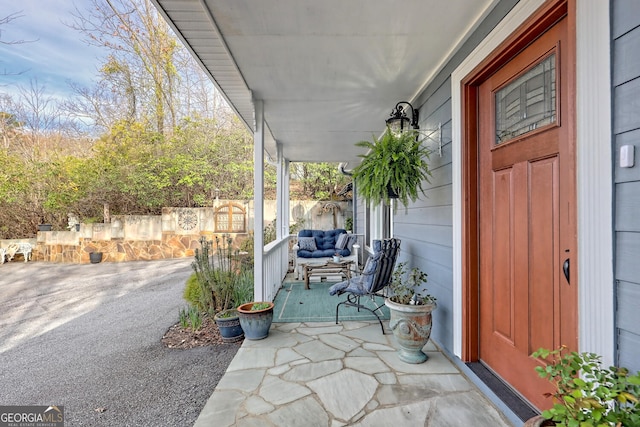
<point>329,71</point>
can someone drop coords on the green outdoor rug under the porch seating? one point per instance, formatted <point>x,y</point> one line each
<point>294,303</point>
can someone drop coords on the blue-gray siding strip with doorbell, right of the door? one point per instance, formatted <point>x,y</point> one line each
<point>626,125</point>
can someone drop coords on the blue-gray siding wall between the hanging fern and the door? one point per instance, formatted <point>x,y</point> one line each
<point>426,226</point>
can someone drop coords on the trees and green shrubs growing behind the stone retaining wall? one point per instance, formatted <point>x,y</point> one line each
<point>151,132</point>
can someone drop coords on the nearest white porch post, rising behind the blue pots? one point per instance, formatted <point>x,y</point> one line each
<point>258,201</point>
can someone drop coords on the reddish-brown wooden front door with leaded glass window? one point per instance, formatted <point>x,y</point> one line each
<point>526,198</point>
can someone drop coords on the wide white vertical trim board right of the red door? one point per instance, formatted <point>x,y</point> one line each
<point>596,286</point>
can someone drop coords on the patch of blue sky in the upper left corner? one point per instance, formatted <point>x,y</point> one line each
<point>59,55</point>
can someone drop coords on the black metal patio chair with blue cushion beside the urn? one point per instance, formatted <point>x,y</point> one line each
<point>371,283</point>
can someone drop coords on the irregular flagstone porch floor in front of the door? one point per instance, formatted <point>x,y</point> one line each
<point>322,374</point>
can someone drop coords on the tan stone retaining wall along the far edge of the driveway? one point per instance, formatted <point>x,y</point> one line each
<point>174,234</point>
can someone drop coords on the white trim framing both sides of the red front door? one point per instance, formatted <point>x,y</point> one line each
<point>594,171</point>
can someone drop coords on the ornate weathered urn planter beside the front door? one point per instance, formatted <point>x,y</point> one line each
<point>411,326</point>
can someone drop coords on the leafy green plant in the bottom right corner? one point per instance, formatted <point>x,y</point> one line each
<point>585,393</point>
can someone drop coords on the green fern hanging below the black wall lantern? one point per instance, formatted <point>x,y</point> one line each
<point>394,167</point>
